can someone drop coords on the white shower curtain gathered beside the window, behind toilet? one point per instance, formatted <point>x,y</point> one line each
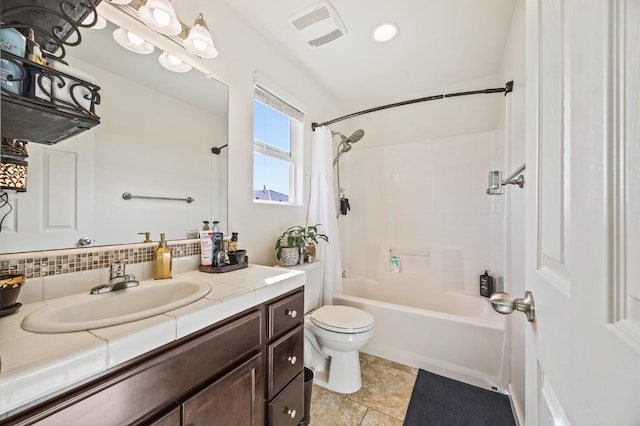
<point>322,210</point>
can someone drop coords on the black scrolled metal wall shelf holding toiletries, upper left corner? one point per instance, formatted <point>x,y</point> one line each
<point>71,109</point>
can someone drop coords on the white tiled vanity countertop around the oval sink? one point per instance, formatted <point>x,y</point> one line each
<point>34,366</point>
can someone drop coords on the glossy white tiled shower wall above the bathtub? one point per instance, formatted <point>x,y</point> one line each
<point>427,197</point>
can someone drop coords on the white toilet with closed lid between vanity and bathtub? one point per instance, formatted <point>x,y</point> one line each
<point>333,335</point>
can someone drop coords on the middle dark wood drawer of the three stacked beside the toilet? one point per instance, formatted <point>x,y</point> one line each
<point>285,360</point>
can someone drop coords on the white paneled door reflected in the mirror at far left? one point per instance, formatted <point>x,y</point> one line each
<point>57,208</point>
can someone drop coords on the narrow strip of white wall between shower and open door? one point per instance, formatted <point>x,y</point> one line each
<point>513,124</point>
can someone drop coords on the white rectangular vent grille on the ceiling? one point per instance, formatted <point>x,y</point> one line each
<point>319,24</point>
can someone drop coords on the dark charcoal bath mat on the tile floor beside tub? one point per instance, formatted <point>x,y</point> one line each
<point>439,401</point>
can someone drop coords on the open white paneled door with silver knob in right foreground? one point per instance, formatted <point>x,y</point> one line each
<point>583,212</point>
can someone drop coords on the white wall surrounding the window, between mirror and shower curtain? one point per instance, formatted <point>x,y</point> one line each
<point>242,52</point>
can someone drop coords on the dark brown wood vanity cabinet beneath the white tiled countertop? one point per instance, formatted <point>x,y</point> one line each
<point>226,374</point>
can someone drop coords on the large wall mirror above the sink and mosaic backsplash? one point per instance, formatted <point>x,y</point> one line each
<point>155,139</point>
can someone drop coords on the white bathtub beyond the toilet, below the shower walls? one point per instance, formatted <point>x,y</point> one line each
<point>453,334</point>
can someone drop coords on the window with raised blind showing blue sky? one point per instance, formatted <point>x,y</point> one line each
<point>277,133</point>
